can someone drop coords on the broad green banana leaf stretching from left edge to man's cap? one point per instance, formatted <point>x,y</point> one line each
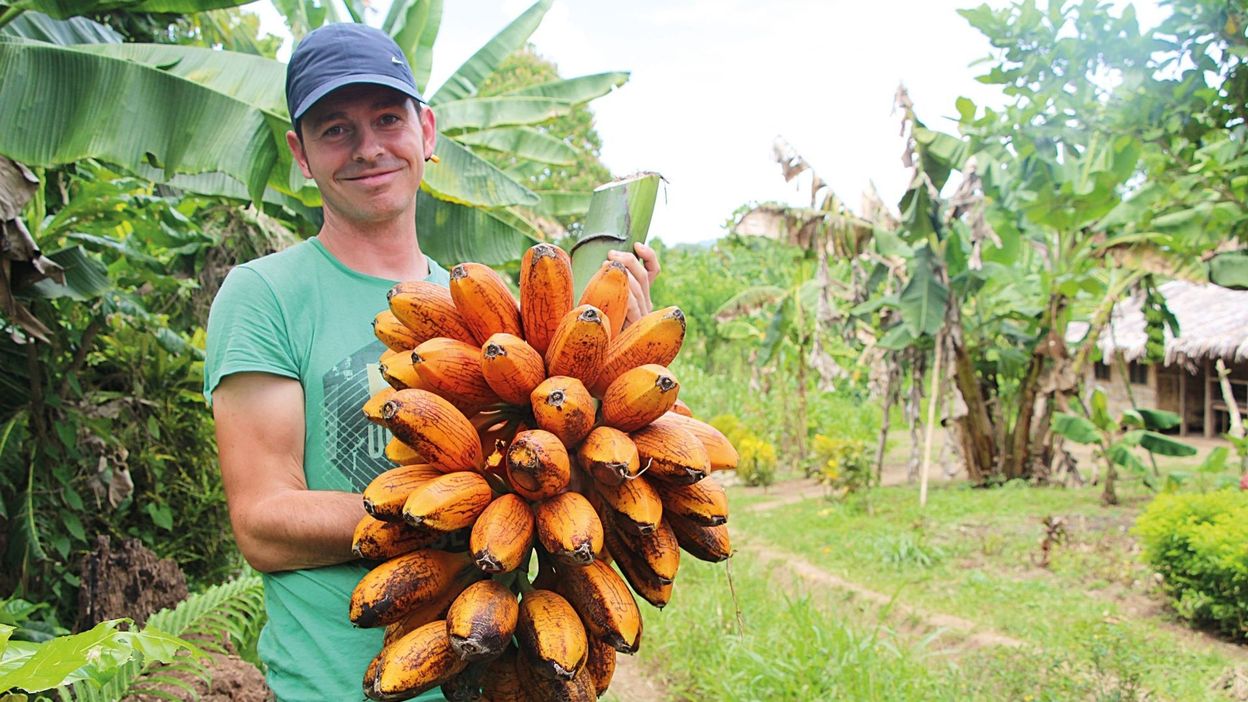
<point>67,104</point>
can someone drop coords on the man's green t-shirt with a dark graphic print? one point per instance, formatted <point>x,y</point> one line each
<point>303,314</point>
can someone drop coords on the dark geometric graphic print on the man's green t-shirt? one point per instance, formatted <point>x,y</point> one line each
<point>356,447</point>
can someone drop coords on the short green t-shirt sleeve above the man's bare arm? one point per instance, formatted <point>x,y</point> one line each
<point>248,332</point>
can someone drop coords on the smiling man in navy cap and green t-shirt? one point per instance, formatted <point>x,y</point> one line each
<point>291,359</point>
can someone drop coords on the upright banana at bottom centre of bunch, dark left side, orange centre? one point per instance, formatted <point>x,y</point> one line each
<point>551,635</point>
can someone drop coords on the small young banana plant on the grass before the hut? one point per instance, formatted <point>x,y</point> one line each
<point>1115,440</point>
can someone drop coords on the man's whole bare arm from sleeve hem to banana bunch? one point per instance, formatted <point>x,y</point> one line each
<point>279,524</point>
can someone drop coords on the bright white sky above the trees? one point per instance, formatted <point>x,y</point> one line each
<point>714,82</point>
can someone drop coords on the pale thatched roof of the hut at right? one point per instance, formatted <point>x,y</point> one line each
<point>1212,320</point>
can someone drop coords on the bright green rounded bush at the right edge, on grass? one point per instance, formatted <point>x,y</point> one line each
<point>1200,545</point>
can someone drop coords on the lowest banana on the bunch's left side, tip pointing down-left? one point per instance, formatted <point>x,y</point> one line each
<point>416,664</point>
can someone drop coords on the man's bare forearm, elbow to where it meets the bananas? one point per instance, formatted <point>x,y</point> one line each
<point>299,529</point>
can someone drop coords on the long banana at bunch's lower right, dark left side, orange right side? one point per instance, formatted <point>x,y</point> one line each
<point>605,603</point>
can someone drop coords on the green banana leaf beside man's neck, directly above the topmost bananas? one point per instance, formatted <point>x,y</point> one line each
<point>454,234</point>
